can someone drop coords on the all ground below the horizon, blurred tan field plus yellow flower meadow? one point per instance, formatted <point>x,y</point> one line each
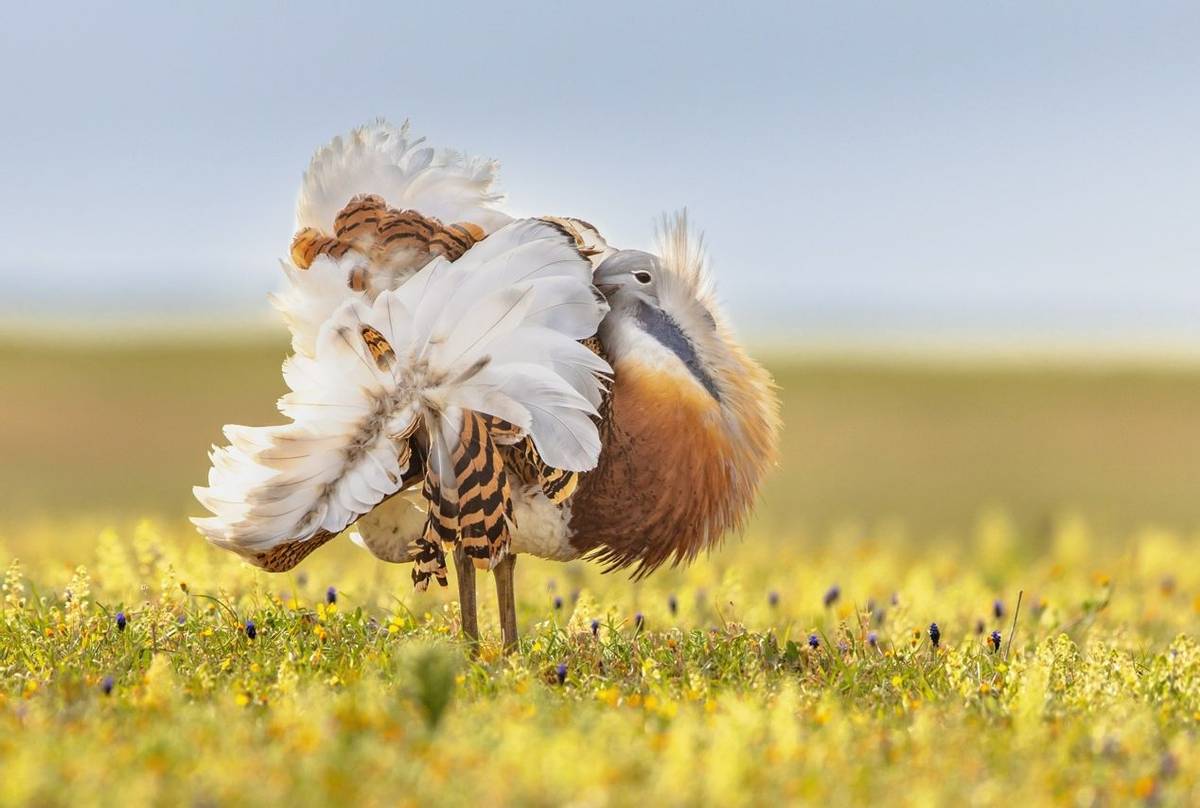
<point>796,666</point>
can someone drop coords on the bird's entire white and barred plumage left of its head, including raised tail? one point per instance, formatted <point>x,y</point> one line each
<point>453,346</point>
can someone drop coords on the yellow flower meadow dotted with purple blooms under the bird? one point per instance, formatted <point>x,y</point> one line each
<point>866,666</point>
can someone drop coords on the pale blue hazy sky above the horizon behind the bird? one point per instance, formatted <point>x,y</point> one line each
<point>929,169</point>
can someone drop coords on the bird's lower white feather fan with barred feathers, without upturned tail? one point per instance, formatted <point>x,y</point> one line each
<point>423,382</point>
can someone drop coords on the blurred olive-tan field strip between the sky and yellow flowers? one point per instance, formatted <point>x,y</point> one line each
<point>122,430</point>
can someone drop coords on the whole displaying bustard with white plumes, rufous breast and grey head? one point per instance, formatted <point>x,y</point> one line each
<point>493,386</point>
